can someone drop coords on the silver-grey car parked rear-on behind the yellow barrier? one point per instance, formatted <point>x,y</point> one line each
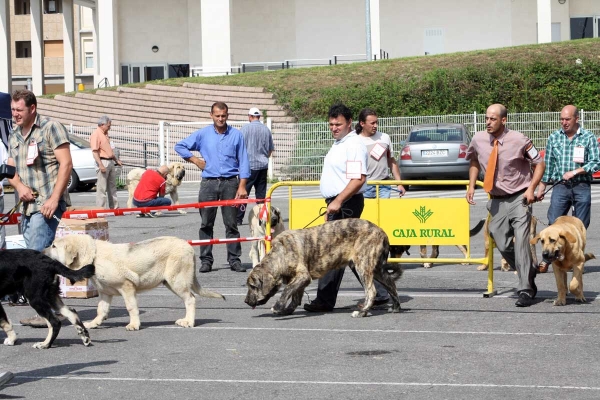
<point>435,151</point>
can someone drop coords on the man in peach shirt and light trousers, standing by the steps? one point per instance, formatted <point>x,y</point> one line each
<point>103,151</point>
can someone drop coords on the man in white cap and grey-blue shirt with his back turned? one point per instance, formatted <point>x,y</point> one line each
<point>259,145</point>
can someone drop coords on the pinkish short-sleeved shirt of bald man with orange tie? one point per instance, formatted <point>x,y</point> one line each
<point>516,154</point>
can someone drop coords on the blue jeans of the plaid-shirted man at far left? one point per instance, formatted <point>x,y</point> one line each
<point>39,231</point>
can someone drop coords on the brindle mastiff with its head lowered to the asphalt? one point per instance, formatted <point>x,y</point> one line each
<point>300,256</point>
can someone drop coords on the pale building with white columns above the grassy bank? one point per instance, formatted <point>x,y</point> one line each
<point>138,40</point>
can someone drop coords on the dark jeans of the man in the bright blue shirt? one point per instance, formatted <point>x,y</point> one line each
<point>211,190</point>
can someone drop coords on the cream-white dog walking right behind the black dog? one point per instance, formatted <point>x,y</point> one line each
<point>127,269</point>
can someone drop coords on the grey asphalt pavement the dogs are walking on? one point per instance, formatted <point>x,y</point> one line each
<point>448,343</point>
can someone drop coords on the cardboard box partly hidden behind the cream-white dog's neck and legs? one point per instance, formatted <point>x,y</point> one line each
<point>96,228</point>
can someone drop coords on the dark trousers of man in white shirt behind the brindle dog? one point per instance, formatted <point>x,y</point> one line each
<point>329,284</point>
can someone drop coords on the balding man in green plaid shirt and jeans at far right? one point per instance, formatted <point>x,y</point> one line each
<point>572,156</point>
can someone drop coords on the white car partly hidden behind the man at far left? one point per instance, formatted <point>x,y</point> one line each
<point>83,177</point>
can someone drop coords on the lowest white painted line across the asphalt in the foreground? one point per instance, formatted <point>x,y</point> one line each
<point>301,382</point>
